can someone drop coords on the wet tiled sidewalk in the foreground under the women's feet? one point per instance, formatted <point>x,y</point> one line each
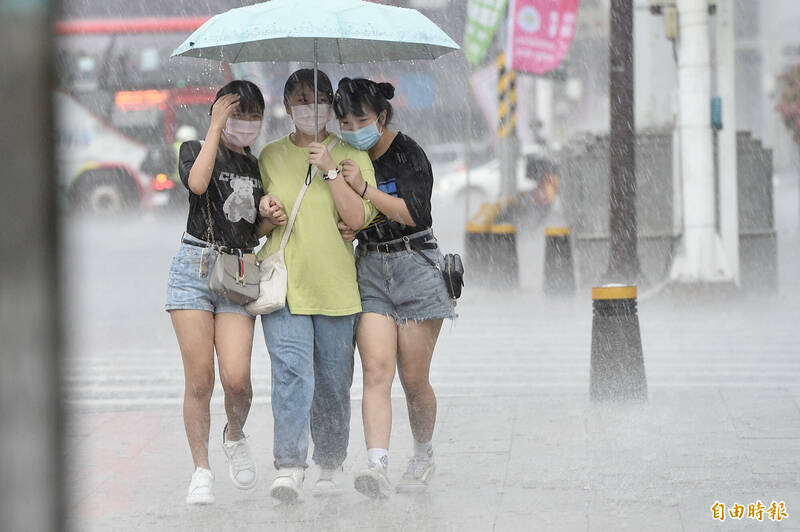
<point>537,462</point>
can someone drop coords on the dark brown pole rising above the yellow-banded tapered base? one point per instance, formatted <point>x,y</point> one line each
<point>623,264</point>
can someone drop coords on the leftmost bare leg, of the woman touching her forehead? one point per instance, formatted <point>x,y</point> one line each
<point>195,332</point>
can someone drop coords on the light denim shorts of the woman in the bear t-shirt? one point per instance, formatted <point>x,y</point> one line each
<point>186,290</point>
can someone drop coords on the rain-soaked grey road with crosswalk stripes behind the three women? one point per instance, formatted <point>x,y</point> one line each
<point>122,351</point>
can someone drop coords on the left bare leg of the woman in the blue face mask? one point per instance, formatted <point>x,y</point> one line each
<point>377,343</point>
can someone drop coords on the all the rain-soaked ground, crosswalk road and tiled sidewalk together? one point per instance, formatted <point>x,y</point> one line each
<point>518,444</point>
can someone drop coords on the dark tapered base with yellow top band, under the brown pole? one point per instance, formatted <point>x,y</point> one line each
<point>617,370</point>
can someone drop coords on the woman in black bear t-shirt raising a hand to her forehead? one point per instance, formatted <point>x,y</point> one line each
<point>224,187</point>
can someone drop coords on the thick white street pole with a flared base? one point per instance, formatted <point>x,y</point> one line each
<point>701,257</point>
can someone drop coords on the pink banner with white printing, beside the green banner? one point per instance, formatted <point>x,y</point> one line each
<point>541,32</point>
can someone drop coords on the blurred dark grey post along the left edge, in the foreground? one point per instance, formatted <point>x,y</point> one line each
<point>30,312</point>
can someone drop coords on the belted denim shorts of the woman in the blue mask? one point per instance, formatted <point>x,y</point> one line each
<point>403,285</point>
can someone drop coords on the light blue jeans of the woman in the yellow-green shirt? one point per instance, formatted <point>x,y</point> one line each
<point>312,371</point>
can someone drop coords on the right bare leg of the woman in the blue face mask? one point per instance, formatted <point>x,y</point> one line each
<point>416,342</point>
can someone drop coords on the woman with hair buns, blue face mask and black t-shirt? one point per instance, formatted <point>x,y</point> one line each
<point>403,295</point>
